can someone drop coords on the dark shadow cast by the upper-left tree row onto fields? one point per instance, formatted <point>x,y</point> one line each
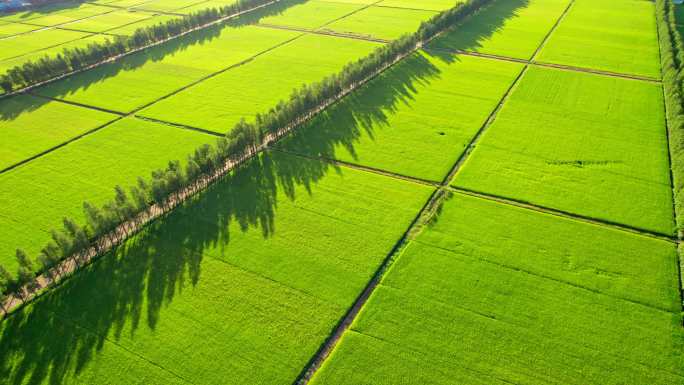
<point>10,110</point>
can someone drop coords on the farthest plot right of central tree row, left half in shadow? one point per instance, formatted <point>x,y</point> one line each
<point>514,28</point>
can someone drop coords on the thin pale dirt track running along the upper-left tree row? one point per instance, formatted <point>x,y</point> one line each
<point>136,50</point>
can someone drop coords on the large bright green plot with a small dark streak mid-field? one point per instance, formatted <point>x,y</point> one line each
<point>583,143</point>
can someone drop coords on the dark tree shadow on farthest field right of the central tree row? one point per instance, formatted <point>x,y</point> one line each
<point>471,33</point>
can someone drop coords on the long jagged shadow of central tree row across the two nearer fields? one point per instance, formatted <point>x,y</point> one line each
<point>61,334</point>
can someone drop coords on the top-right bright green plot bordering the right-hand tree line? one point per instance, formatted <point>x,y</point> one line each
<point>618,36</point>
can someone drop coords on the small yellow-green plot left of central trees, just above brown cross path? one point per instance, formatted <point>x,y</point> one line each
<point>382,22</point>
